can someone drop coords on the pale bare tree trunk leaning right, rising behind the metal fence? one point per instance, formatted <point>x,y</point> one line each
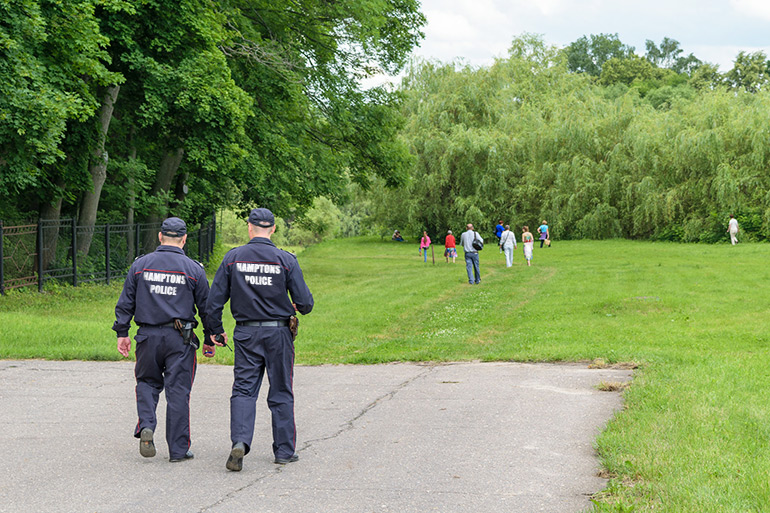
<point>90,205</point>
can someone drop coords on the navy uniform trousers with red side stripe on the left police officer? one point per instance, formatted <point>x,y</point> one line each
<point>164,361</point>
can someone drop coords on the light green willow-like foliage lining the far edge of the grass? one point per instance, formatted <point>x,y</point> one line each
<point>638,151</point>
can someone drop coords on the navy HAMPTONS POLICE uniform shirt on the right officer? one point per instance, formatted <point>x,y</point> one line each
<point>255,277</point>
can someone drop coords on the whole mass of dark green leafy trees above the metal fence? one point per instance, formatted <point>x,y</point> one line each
<point>134,109</point>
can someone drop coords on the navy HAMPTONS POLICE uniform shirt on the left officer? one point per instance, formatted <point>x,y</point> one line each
<point>160,287</point>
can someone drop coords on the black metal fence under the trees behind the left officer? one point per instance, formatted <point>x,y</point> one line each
<point>63,252</point>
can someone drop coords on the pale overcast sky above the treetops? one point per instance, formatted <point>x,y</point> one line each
<point>480,30</point>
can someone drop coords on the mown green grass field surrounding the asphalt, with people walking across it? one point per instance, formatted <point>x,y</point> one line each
<point>695,434</point>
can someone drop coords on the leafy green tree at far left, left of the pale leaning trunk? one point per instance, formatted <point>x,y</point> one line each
<point>52,60</point>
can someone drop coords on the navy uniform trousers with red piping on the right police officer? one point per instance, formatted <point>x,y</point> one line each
<point>259,349</point>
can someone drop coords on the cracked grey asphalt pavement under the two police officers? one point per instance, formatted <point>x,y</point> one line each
<point>458,437</point>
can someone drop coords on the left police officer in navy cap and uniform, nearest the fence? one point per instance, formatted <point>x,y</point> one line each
<point>162,287</point>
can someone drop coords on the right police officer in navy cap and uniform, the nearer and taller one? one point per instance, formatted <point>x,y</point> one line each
<point>256,278</point>
